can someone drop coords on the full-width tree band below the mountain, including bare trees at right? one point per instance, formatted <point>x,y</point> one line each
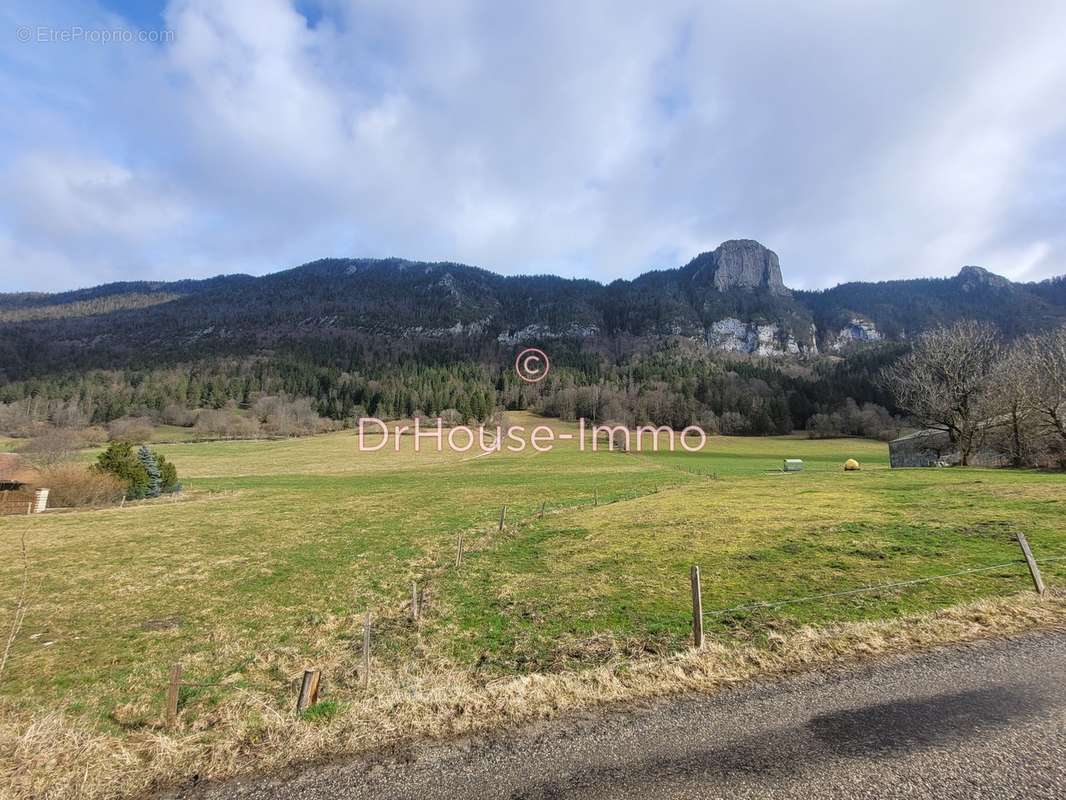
<point>983,391</point>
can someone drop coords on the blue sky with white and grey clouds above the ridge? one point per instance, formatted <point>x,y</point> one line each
<point>585,138</point>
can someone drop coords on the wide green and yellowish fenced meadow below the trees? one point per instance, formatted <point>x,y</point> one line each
<point>277,551</point>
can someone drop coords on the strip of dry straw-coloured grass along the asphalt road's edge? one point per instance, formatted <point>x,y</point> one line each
<point>57,757</point>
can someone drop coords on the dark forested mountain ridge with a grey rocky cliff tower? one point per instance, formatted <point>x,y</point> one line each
<point>734,299</point>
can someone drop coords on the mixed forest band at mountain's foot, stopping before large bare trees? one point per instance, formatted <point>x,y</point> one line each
<point>676,385</point>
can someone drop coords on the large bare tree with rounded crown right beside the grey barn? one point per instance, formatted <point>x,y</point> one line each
<point>946,382</point>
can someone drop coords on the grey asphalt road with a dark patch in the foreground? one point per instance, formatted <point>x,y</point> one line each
<point>987,721</point>
